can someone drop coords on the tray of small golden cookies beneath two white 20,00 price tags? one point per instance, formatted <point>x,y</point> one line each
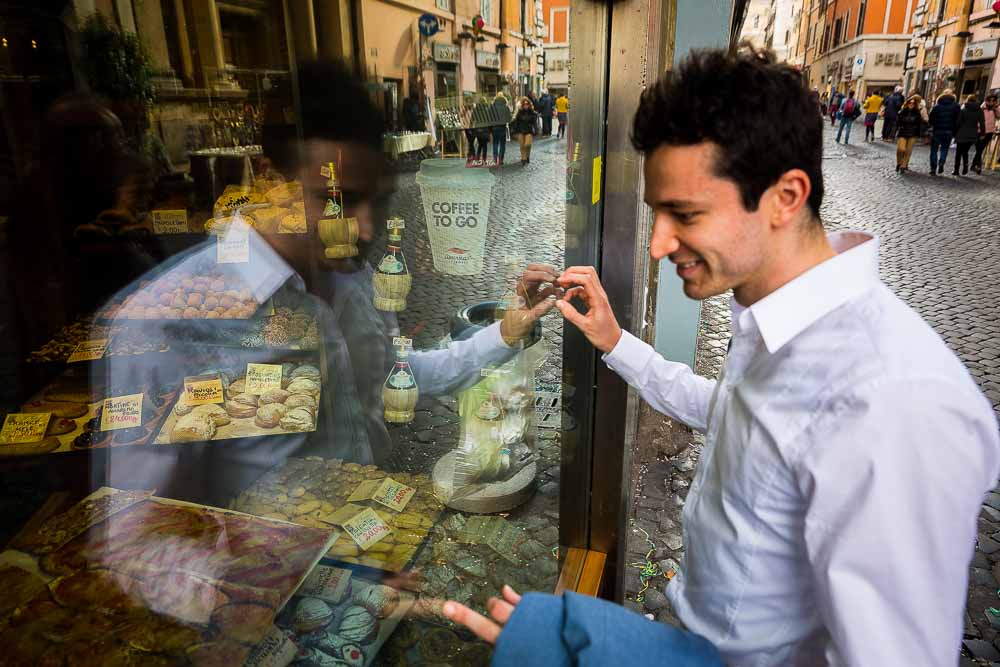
<point>309,491</point>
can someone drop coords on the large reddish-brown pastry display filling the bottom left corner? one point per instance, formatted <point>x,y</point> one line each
<point>133,575</point>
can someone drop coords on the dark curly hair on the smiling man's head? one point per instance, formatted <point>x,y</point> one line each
<point>758,113</point>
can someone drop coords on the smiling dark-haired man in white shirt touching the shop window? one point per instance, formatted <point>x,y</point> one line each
<point>833,513</point>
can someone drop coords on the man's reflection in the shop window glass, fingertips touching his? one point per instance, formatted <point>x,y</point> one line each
<point>356,351</point>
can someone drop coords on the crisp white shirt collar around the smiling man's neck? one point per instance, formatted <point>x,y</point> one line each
<point>789,310</point>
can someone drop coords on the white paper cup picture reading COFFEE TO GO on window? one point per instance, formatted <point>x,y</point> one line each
<point>456,210</point>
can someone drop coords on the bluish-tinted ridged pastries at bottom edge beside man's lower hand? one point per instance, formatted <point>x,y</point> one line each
<point>342,632</point>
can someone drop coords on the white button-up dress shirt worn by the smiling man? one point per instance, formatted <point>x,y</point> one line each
<point>833,512</point>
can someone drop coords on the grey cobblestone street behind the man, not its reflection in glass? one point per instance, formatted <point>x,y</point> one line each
<point>939,252</point>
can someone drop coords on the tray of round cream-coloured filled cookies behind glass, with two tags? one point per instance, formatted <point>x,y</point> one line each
<point>291,409</point>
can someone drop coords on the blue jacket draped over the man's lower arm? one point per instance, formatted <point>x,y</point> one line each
<point>579,630</point>
